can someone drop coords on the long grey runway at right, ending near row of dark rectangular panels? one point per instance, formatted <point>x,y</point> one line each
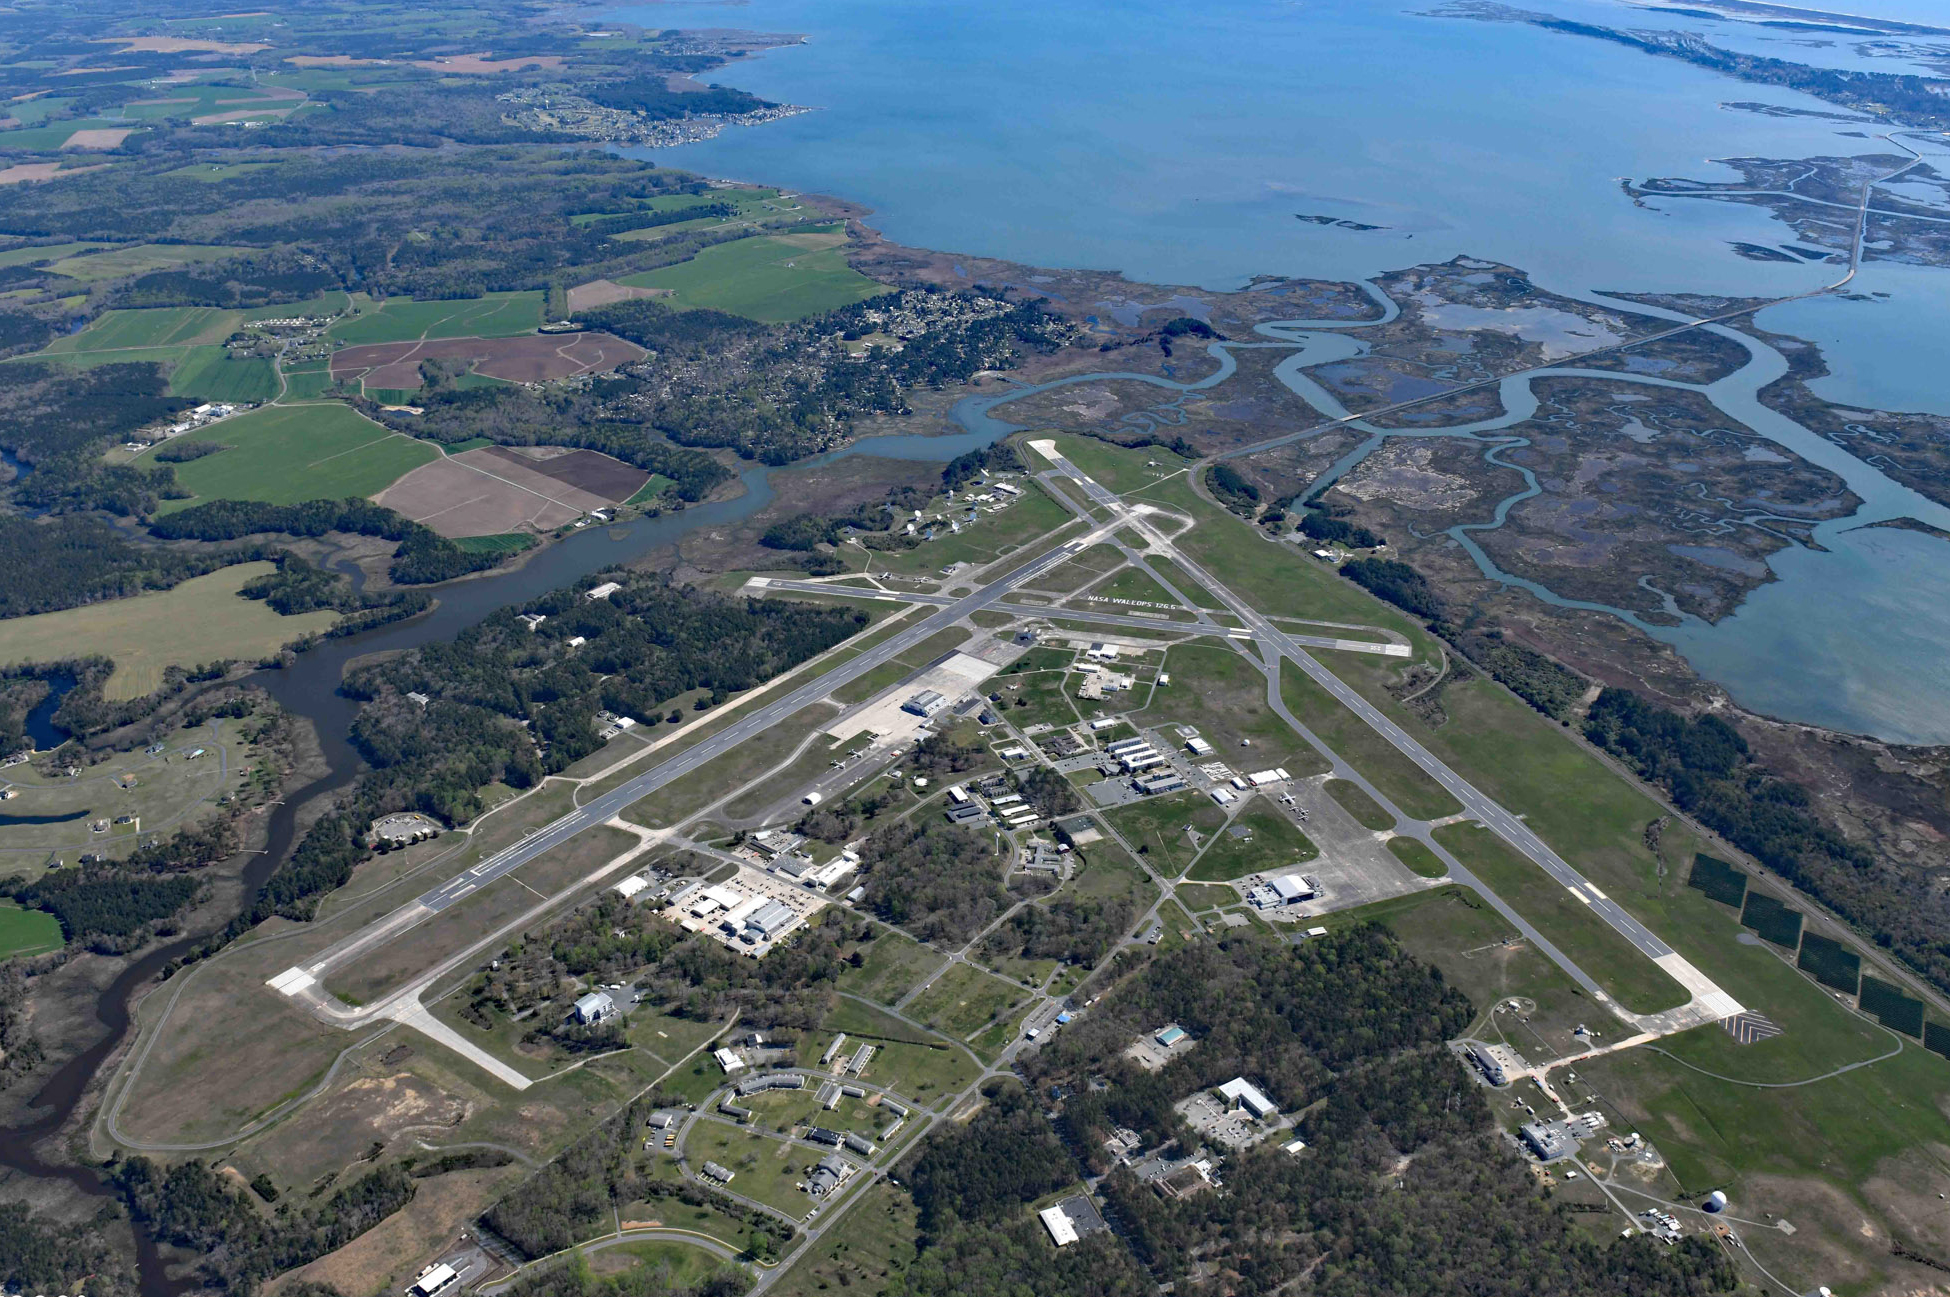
<point>1709,1002</point>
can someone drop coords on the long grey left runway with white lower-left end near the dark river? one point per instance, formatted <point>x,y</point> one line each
<point>611,805</point>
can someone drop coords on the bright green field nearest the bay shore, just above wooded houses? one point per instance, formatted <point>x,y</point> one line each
<point>773,278</point>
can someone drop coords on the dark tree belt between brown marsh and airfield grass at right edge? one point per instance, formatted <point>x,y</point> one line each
<point>1705,767</point>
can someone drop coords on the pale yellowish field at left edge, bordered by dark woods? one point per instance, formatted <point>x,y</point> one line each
<point>196,623</point>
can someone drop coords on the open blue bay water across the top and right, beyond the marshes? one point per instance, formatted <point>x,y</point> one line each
<point>1179,143</point>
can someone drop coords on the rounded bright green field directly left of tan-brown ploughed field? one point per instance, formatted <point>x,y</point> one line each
<point>292,453</point>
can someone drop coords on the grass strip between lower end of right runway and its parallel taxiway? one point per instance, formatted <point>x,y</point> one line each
<point>1614,963</point>
